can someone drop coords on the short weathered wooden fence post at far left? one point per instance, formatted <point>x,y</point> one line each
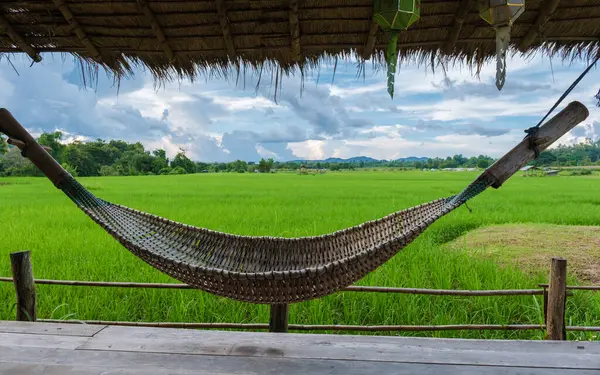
<point>24,286</point>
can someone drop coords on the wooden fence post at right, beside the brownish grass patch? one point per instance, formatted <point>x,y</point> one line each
<point>557,292</point>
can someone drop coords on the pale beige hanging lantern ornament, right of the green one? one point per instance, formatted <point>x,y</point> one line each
<point>501,14</point>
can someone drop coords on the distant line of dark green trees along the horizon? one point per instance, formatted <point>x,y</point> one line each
<point>120,158</point>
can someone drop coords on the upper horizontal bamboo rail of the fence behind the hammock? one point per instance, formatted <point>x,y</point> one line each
<point>364,289</point>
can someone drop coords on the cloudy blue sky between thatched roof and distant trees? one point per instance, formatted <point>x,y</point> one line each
<point>219,120</point>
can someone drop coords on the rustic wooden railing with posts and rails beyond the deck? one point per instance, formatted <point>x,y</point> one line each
<point>554,294</point>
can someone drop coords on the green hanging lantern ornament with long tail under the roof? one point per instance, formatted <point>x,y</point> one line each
<point>394,16</point>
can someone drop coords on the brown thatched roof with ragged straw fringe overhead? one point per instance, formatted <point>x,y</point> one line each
<point>178,38</point>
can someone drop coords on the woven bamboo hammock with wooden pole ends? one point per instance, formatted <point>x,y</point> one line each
<point>268,269</point>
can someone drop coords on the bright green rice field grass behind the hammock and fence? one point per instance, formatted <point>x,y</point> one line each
<point>65,244</point>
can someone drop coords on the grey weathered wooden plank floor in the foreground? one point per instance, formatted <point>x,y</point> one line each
<point>57,349</point>
